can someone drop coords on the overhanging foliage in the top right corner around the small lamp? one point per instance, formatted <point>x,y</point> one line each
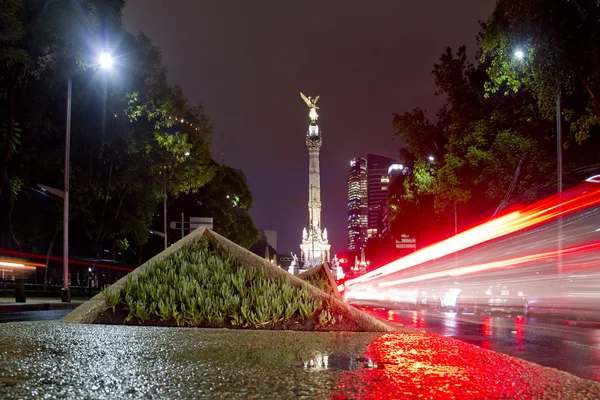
<point>560,44</point>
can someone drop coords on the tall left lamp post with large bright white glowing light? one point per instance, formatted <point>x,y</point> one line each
<point>105,61</point>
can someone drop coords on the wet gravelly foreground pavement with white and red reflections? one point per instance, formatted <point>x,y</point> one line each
<point>49,359</point>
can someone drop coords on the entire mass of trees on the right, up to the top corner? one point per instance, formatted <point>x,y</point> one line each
<point>497,128</point>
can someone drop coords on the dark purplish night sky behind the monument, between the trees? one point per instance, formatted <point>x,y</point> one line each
<point>246,62</point>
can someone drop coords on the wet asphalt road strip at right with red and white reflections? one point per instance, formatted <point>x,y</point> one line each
<point>572,349</point>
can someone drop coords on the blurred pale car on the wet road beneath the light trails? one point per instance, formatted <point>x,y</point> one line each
<point>493,298</point>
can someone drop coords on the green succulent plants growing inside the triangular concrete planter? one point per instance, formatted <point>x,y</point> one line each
<point>197,286</point>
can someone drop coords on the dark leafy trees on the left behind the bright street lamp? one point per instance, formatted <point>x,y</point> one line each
<point>135,138</point>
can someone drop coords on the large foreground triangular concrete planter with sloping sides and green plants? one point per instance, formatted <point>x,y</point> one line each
<point>205,280</point>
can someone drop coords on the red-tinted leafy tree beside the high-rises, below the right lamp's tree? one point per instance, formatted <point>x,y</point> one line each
<point>492,154</point>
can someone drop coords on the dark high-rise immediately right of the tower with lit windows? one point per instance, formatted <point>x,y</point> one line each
<point>377,191</point>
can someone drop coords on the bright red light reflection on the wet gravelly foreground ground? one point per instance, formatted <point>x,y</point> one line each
<point>399,366</point>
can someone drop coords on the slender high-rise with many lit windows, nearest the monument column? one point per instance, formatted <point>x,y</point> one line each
<point>357,204</point>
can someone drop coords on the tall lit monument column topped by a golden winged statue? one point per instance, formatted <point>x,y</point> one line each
<point>315,245</point>
